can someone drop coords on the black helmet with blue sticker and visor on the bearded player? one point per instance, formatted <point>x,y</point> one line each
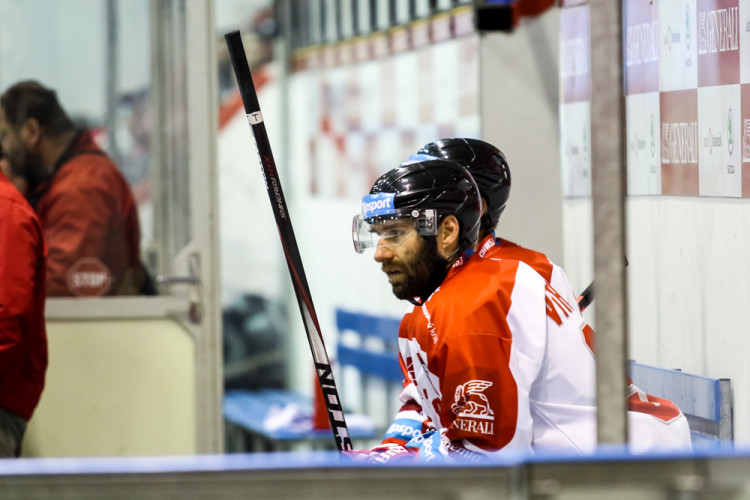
<point>425,191</point>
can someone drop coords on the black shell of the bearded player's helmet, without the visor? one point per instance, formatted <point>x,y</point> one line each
<point>443,185</point>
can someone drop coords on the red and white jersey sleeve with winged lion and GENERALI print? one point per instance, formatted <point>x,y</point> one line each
<point>489,371</point>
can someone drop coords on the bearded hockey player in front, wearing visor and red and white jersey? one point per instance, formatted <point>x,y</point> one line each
<point>494,358</point>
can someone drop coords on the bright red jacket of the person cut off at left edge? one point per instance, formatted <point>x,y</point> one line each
<point>23,337</point>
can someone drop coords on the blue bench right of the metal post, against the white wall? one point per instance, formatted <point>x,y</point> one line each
<point>705,401</point>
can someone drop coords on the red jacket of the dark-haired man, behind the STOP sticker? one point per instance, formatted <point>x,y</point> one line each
<point>90,222</point>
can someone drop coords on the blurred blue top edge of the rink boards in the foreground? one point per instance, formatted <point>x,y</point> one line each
<point>314,460</point>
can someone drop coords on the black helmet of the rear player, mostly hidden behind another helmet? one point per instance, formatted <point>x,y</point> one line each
<point>487,165</point>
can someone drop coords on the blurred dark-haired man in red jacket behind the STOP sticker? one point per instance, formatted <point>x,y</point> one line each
<point>84,203</point>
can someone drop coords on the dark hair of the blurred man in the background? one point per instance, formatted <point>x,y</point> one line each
<point>30,99</point>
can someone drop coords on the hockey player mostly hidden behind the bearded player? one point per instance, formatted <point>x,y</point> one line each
<point>655,424</point>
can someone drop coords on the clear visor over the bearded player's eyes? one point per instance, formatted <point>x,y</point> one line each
<point>392,229</point>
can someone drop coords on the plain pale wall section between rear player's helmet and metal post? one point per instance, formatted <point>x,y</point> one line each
<point>519,103</point>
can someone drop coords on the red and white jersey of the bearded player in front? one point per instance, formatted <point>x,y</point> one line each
<point>499,361</point>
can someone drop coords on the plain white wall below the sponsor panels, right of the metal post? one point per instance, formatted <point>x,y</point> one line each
<point>689,291</point>
